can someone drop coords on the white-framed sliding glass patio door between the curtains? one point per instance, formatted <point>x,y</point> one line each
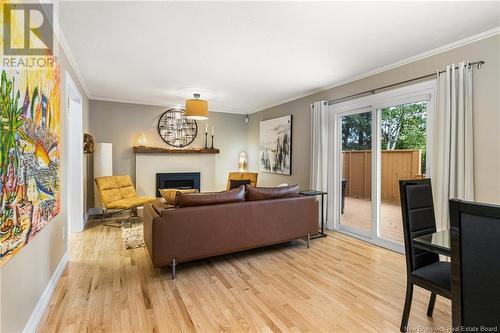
<point>380,140</point>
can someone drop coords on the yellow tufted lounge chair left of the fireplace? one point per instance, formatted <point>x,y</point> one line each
<point>118,192</point>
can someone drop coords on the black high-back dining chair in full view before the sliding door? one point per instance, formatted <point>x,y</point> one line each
<point>423,268</point>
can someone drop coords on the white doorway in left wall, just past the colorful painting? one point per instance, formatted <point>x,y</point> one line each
<point>74,158</point>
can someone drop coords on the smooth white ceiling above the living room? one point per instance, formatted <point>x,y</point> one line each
<point>251,55</point>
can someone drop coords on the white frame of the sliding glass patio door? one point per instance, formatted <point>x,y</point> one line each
<point>373,103</point>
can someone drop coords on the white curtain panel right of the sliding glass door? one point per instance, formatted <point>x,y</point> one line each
<point>453,164</point>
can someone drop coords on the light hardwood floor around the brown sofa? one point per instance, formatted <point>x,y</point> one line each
<point>338,285</point>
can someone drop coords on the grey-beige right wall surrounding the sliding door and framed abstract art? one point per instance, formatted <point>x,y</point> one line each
<point>486,115</point>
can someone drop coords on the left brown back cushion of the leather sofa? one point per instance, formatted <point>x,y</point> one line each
<point>210,198</point>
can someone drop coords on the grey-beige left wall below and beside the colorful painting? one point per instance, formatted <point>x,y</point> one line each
<point>24,277</point>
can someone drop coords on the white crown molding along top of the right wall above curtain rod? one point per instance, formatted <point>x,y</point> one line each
<point>468,40</point>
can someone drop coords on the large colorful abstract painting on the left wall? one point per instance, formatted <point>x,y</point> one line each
<point>29,154</point>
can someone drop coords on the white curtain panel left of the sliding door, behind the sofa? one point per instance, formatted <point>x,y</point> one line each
<point>321,163</point>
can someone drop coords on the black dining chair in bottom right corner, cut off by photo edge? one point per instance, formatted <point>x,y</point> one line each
<point>475,266</point>
